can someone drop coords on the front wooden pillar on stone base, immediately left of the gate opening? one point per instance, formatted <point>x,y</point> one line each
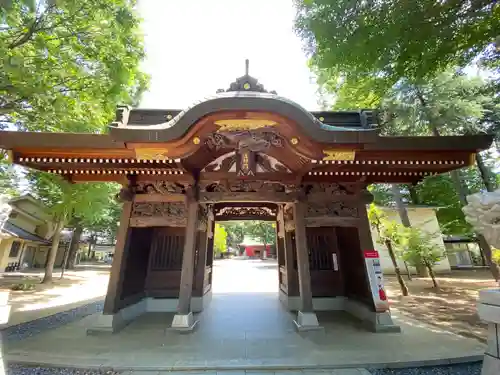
<point>183,319</point>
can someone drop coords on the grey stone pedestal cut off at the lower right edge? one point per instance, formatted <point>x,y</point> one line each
<point>488,309</point>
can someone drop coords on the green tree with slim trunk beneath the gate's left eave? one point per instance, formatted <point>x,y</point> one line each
<point>65,201</point>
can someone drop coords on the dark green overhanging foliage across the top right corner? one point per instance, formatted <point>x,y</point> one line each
<point>396,39</point>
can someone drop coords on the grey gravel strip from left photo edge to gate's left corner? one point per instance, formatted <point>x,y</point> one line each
<point>28,329</point>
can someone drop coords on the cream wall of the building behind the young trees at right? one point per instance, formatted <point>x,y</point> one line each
<point>421,217</point>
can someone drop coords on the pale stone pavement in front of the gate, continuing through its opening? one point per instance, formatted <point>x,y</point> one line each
<point>244,328</point>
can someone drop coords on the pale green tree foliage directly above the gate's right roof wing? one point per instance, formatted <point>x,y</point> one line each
<point>452,103</point>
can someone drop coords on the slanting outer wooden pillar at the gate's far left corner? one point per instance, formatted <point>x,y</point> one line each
<point>117,275</point>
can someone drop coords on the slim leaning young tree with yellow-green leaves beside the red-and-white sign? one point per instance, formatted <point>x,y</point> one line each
<point>389,234</point>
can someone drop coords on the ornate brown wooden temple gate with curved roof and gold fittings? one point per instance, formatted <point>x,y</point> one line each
<point>244,153</point>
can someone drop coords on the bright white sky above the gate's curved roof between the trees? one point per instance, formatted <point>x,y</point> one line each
<point>195,47</point>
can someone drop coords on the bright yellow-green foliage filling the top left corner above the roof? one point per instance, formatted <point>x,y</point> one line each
<point>66,64</point>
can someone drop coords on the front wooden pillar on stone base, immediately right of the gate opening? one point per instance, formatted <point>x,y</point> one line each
<point>306,318</point>
